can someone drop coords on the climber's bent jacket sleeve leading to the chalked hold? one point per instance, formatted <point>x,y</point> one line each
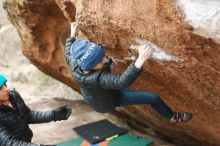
<point>110,80</point>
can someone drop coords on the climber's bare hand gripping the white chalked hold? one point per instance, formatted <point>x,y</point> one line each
<point>144,52</point>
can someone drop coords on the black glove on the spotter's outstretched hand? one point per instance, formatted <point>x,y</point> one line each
<point>62,113</point>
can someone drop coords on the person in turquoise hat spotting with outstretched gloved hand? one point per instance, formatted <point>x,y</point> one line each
<point>15,117</point>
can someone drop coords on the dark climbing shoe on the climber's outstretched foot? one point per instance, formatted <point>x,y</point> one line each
<point>179,117</point>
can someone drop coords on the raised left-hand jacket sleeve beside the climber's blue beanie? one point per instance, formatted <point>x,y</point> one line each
<point>69,42</point>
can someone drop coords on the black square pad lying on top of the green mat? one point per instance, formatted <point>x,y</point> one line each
<point>98,131</point>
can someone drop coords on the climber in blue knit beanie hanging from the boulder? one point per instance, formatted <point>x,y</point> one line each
<point>104,90</point>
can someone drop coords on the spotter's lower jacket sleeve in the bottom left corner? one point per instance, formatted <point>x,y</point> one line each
<point>6,139</point>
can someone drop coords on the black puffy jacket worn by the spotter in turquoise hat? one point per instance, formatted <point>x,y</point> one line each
<point>14,129</point>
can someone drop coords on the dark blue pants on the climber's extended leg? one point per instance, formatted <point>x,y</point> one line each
<point>128,97</point>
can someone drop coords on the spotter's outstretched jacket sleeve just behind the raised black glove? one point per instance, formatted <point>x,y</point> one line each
<point>37,117</point>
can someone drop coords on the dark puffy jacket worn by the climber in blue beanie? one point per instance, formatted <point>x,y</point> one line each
<point>100,88</point>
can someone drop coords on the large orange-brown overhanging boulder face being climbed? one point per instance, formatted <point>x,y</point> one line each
<point>191,85</point>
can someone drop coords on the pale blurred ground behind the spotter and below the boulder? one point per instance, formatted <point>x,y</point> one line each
<point>41,92</point>
